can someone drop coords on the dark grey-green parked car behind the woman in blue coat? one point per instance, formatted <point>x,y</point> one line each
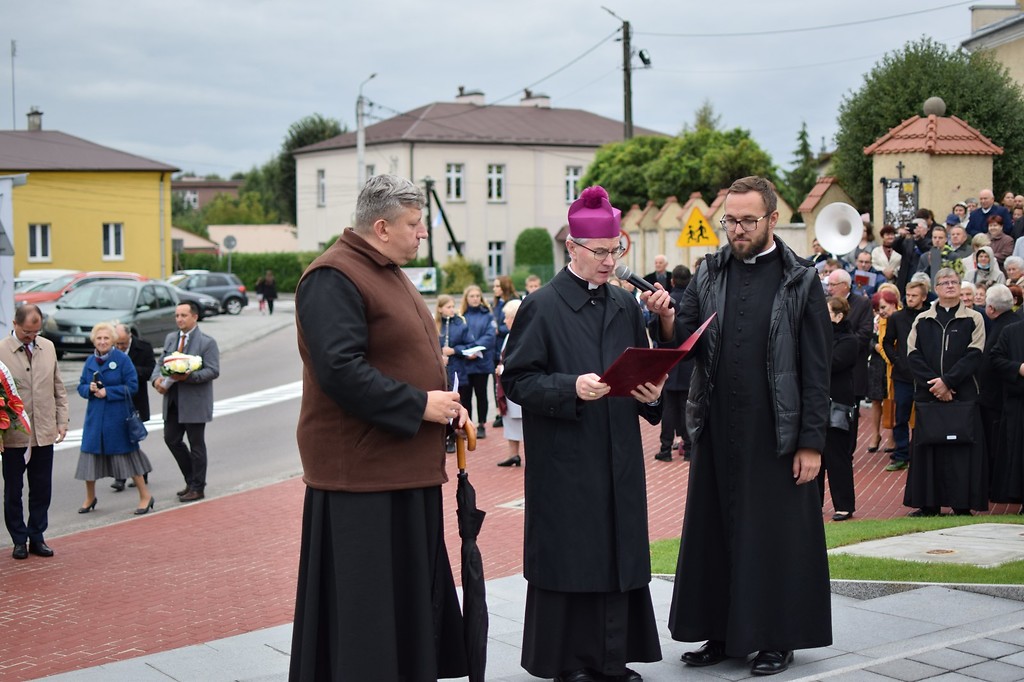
<point>146,308</point>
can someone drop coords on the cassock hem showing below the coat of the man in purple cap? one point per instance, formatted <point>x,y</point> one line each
<point>603,631</point>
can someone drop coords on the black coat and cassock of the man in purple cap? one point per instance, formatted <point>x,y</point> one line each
<point>587,556</point>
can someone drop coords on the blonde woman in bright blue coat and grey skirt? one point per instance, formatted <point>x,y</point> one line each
<point>109,381</point>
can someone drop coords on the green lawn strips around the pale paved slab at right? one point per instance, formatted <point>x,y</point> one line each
<point>665,552</point>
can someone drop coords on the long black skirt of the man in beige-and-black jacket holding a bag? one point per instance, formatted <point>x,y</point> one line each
<point>955,477</point>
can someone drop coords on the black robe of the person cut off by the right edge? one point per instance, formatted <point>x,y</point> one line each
<point>1008,462</point>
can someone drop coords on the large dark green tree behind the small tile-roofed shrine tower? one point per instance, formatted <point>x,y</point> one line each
<point>975,88</point>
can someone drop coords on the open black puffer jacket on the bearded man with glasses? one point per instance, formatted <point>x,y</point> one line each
<point>799,352</point>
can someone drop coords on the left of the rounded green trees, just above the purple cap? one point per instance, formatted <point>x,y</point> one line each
<point>619,168</point>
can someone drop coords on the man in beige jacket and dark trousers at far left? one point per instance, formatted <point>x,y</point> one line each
<point>33,362</point>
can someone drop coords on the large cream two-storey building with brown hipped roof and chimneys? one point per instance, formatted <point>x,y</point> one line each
<point>497,170</point>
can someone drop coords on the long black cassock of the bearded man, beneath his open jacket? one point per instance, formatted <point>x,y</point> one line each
<point>753,570</point>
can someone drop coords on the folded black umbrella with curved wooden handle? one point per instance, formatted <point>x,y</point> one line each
<point>475,605</point>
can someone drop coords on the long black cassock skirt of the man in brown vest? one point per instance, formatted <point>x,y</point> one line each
<point>376,598</point>
